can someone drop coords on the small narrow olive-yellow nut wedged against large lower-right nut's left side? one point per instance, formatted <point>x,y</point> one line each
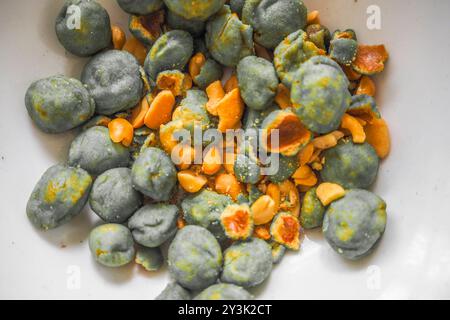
<point>312,212</point>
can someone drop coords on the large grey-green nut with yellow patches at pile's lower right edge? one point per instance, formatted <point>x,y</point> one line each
<point>353,225</point>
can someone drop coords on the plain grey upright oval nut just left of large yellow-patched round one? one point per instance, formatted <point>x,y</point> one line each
<point>258,82</point>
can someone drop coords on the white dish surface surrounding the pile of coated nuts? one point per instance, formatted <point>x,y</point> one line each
<point>413,259</point>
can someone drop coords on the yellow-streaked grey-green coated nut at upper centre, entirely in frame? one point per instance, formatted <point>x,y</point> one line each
<point>228,39</point>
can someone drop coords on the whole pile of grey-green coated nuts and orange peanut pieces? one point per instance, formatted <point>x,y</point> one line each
<point>226,221</point>
